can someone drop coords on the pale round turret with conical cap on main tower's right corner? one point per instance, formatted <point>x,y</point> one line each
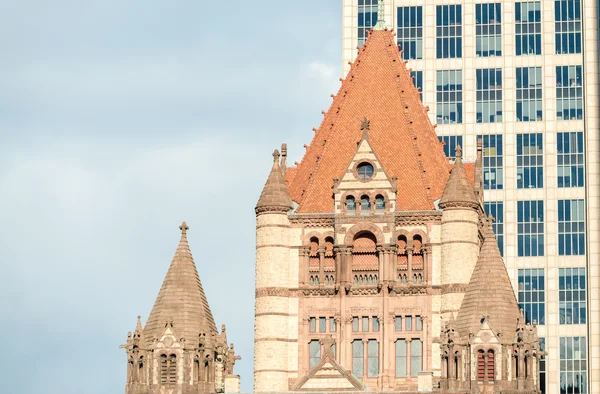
<point>460,236</point>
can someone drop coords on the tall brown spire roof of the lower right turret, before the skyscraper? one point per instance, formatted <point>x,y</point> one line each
<point>489,294</point>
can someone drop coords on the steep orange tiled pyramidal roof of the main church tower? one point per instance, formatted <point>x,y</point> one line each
<point>379,87</point>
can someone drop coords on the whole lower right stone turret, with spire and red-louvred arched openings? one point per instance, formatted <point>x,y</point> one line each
<point>489,348</point>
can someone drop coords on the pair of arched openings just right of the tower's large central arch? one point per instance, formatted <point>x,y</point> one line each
<point>411,259</point>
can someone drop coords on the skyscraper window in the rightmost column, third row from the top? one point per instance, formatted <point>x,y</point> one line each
<point>570,159</point>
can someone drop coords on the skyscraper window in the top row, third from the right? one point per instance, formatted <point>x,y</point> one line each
<point>488,30</point>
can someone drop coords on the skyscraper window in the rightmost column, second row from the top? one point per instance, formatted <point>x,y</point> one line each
<point>569,93</point>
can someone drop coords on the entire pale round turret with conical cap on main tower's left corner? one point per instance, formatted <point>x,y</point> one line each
<point>273,326</point>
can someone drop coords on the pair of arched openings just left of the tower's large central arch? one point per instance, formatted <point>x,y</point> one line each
<point>321,262</point>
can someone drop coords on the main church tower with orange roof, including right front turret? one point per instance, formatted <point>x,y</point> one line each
<point>376,267</point>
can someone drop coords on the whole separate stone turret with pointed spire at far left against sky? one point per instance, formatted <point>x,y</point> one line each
<point>180,350</point>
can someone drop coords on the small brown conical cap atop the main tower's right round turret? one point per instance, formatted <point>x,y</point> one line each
<point>458,191</point>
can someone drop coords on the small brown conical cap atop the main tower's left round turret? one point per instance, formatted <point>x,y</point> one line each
<point>275,196</point>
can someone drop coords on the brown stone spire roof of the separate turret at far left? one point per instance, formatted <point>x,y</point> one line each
<point>181,298</point>
